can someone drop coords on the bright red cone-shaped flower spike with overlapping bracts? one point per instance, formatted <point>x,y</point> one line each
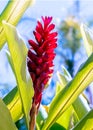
<point>41,55</point>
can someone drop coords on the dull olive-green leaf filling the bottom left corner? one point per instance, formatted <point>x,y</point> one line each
<point>6,122</point>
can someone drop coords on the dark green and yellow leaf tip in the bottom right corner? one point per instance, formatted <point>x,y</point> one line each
<point>86,123</point>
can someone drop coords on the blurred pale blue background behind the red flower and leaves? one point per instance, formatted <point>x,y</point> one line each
<point>67,16</point>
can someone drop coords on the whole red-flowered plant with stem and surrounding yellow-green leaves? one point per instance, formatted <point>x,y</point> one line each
<point>68,110</point>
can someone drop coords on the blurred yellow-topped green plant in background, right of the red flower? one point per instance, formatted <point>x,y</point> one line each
<point>69,41</point>
